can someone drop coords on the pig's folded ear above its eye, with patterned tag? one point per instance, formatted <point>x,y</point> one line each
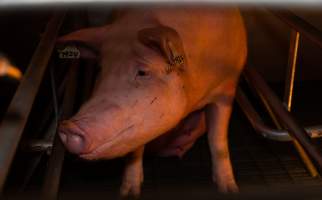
<point>168,42</point>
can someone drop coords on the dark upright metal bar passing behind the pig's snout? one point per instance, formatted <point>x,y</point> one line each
<point>55,163</point>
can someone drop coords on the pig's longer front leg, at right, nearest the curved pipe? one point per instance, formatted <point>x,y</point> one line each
<point>217,116</point>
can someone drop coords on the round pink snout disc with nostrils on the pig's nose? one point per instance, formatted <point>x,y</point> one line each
<point>73,137</point>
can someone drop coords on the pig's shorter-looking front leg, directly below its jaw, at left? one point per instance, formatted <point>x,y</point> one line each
<point>133,174</point>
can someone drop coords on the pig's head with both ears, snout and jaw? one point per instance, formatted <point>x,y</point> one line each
<point>138,95</point>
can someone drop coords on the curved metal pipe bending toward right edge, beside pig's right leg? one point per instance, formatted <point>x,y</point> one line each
<point>266,131</point>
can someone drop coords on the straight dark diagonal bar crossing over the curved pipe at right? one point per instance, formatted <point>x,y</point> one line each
<point>284,116</point>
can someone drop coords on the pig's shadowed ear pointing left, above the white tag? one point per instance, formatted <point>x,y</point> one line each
<point>88,41</point>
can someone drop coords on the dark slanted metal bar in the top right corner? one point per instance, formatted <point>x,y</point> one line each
<point>300,25</point>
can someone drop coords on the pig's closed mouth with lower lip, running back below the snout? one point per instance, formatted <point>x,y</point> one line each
<point>99,151</point>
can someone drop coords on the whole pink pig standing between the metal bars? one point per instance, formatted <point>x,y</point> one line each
<point>168,74</point>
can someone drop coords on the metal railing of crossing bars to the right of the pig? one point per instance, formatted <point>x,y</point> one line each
<point>287,128</point>
